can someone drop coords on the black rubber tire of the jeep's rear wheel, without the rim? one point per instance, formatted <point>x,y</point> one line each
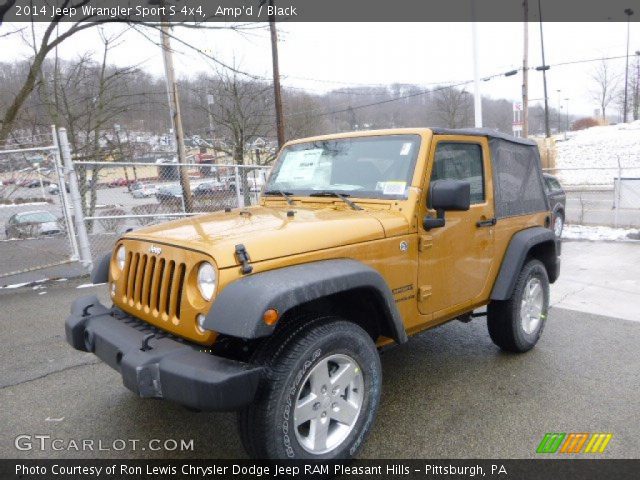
<point>504,317</point>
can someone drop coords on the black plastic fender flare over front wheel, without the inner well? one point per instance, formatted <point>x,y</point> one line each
<point>238,309</point>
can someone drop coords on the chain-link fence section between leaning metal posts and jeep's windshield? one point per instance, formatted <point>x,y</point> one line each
<point>117,196</point>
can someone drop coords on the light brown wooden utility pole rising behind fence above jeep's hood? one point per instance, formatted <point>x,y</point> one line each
<point>176,117</point>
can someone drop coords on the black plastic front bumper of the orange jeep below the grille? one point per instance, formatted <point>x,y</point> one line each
<point>168,367</point>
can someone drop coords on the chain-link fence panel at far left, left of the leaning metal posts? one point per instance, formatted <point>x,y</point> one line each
<point>33,208</point>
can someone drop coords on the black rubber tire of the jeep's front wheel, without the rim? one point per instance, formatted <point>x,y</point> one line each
<point>266,426</point>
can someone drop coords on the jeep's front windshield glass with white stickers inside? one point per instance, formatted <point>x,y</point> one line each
<point>366,167</point>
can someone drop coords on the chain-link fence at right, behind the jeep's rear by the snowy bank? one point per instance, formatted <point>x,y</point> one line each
<point>607,196</point>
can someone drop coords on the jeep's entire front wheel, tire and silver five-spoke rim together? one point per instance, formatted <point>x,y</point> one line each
<point>319,394</point>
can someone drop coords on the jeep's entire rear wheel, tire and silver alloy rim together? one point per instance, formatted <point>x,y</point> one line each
<point>516,324</point>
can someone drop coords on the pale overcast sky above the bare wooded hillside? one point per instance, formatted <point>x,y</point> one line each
<point>324,56</point>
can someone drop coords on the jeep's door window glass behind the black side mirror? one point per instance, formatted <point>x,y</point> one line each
<point>460,161</point>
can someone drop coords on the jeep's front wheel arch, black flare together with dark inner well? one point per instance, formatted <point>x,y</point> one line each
<point>344,287</point>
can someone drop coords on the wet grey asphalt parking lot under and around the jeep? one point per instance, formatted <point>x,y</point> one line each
<point>448,393</point>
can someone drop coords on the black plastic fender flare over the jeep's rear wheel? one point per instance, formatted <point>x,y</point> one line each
<point>519,247</point>
